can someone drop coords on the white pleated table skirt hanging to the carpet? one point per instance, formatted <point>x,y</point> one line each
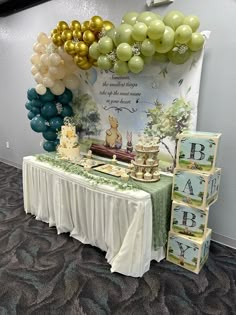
<point>118,222</point>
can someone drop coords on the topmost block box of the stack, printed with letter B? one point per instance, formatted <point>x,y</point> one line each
<point>197,151</point>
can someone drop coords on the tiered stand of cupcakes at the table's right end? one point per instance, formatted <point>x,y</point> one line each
<point>145,167</point>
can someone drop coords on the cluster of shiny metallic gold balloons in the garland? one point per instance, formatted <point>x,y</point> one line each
<point>76,39</point>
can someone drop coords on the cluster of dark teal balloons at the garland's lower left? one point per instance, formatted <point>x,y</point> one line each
<point>47,113</point>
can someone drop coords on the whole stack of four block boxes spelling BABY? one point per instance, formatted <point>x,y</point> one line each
<point>195,188</point>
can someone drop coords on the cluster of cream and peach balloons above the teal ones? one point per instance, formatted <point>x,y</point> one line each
<point>52,68</point>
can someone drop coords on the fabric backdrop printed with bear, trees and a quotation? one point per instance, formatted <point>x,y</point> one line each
<point>162,101</point>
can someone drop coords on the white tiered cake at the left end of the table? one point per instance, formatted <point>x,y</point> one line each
<point>69,143</point>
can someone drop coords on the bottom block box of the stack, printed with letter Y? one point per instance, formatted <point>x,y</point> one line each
<point>187,252</point>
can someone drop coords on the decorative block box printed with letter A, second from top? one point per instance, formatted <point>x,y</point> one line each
<point>196,189</point>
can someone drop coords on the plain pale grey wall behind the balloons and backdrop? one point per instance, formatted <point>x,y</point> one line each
<point>217,109</point>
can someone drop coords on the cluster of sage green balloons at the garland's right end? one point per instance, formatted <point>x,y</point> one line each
<point>144,36</point>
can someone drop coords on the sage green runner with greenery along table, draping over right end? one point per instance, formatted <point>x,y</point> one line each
<point>160,193</point>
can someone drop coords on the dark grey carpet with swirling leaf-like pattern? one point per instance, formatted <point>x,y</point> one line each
<point>45,273</point>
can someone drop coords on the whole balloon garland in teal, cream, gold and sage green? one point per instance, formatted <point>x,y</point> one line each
<point>139,39</point>
